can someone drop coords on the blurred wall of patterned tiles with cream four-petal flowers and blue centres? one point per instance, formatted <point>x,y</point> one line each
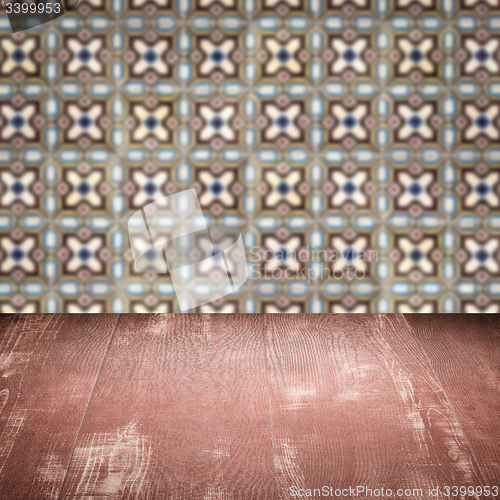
<point>308,124</point>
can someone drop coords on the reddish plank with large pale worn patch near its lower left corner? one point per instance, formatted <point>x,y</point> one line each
<point>181,410</point>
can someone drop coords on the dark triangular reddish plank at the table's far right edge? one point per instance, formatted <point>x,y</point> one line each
<point>464,352</point>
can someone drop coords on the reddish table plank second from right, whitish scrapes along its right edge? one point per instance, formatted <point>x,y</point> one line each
<point>354,403</point>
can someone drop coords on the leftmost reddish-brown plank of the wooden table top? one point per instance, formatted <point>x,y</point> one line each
<point>48,368</point>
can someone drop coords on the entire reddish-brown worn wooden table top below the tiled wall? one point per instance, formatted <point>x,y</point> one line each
<point>215,406</point>
